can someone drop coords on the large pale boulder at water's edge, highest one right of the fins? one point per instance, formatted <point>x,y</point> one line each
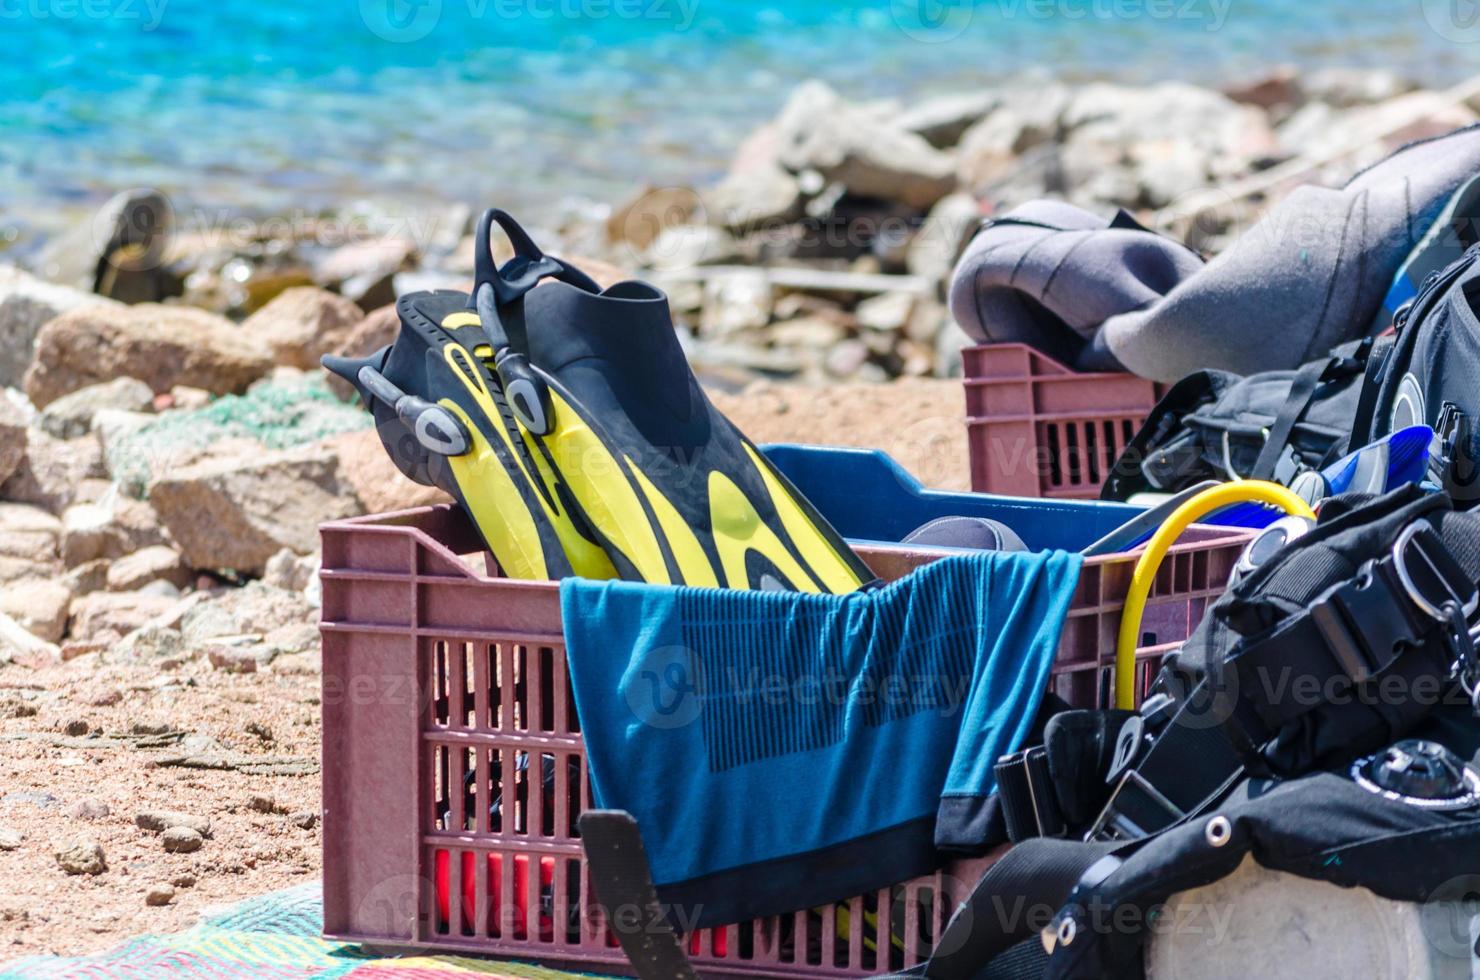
<point>861,149</point>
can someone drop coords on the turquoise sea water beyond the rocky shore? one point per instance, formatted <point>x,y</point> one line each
<point>295,104</point>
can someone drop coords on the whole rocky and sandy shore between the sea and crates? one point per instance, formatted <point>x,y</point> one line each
<point>169,446</point>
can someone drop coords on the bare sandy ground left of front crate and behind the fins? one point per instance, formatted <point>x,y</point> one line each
<point>87,748</point>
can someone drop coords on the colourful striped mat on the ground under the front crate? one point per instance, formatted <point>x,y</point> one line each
<point>275,938</point>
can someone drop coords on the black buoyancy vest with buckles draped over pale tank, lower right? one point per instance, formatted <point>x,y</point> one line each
<point>1284,729</point>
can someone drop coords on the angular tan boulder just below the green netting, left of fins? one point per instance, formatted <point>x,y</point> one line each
<point>239,513</point>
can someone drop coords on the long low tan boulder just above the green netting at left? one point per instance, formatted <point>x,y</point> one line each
<point>161,346</point>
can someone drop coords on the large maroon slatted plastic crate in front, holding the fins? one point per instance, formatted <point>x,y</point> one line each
<point>440,680</point>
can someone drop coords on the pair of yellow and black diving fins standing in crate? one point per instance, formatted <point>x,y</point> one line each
<point>568,424</point>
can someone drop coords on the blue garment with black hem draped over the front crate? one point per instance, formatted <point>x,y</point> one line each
<point>782,751</point>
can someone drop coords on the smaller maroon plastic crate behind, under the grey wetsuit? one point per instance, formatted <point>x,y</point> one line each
<point>1041,430</point>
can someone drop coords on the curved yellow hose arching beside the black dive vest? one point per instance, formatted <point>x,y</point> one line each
<point>1189,513</point>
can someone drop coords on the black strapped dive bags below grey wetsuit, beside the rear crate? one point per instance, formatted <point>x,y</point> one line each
<point>1279,426</point>
